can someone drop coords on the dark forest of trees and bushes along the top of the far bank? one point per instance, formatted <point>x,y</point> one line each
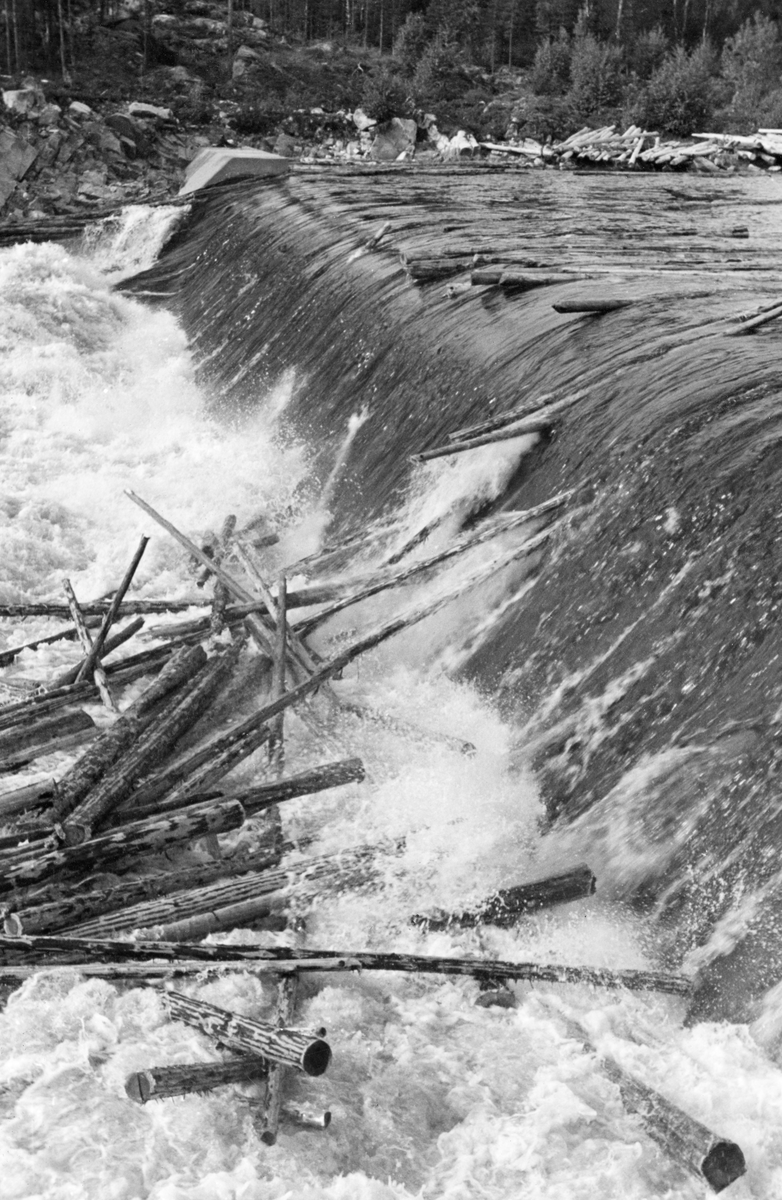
<point>666,64</point>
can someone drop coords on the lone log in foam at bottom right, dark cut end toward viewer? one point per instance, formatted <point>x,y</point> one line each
<point>689,1143</point>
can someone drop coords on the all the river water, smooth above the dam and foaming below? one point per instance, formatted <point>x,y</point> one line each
<point>621,682</point>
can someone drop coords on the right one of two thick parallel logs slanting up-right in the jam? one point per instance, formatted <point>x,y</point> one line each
<point>152,748</point>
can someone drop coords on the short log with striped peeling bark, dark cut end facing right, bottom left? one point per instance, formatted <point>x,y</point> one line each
<point>292,1048</point>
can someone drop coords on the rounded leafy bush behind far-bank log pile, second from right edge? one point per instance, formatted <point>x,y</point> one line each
<point>681,97</point>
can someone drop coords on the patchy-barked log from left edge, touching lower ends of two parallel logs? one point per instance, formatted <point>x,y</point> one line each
<point>136,841</point>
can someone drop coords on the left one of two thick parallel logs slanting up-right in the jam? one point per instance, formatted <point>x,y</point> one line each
<point>77,783</point>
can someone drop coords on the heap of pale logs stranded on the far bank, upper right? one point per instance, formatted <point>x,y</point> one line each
<point>636,149</point>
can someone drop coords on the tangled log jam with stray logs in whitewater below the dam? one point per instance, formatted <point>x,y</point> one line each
<point>92,879</point>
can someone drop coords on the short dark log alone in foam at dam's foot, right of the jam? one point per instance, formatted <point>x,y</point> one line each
<point>506,908</point>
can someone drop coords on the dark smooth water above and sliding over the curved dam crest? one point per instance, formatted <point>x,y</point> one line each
<point>641,664</point>
